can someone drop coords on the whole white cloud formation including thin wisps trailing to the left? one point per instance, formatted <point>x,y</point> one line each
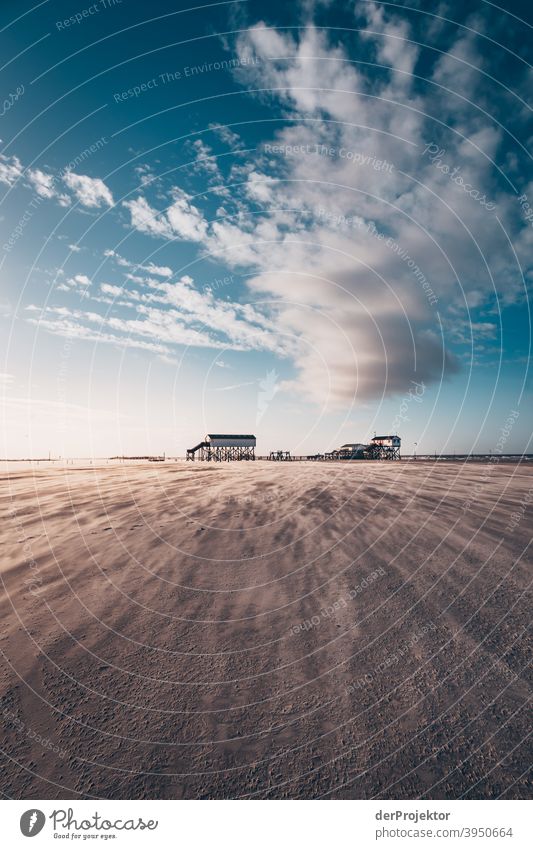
<point>339,218</point>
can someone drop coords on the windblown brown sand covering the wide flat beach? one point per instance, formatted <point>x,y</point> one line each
<point>270,630</point>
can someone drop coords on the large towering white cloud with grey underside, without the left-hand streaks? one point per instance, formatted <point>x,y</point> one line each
<point>355,294</point>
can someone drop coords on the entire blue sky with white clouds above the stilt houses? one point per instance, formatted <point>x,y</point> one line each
<point>309,221</point>
